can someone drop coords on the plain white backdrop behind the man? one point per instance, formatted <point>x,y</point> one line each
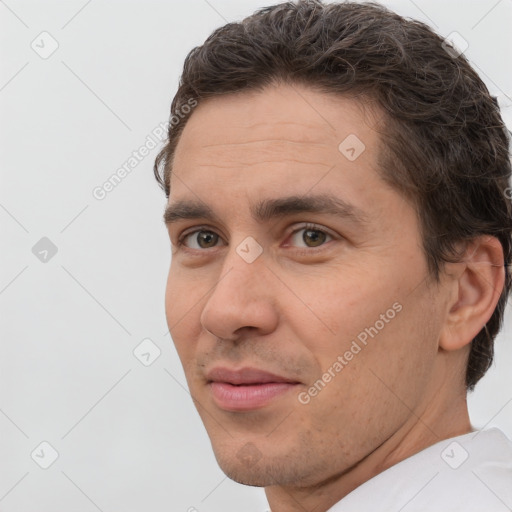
<point>127,435</point>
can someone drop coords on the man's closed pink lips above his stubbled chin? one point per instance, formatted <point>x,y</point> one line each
<point>246,389</point>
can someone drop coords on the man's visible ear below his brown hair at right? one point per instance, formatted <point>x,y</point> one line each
<point>476,284</point>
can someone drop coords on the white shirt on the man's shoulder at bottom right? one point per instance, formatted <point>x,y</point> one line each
<point>468,473</point>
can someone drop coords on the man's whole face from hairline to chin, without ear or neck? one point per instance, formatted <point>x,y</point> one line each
<point>330,297</point>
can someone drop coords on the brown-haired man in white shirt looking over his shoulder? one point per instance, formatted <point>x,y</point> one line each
<point>341,233</point>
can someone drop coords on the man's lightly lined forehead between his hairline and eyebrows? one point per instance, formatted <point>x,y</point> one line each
<point>257,142</point>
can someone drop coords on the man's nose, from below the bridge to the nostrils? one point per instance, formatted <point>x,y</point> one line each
<point>243,301</point>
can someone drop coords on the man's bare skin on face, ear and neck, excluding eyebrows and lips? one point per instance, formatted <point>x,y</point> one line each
<point>299,306</point>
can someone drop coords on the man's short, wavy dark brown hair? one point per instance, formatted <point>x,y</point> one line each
<point>445,146</point>
